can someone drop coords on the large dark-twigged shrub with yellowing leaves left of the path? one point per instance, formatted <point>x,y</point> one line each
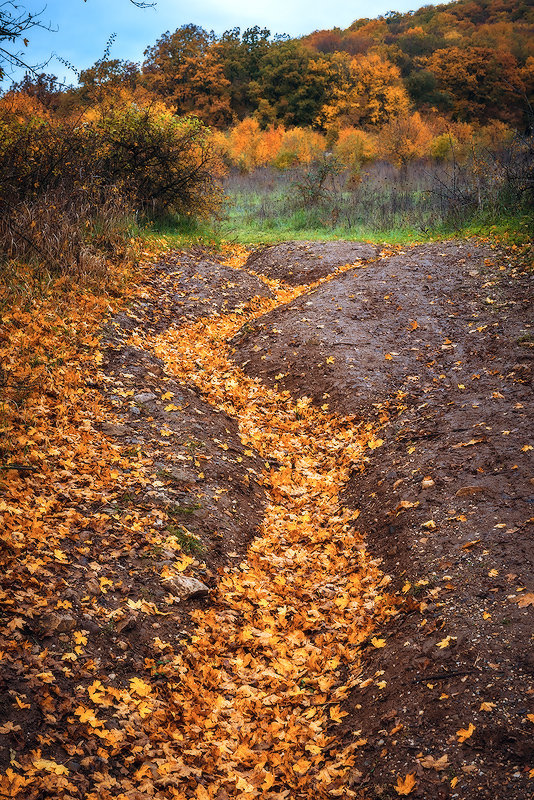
<point>62,179</point>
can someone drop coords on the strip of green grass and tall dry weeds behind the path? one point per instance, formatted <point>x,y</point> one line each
<point>422,201</point>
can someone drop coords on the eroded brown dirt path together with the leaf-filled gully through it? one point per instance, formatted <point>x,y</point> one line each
<point>336,444</point>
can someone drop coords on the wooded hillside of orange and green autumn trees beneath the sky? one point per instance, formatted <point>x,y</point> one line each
<point>471,60</point>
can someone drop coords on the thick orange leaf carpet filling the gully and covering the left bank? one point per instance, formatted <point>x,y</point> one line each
<point>248,707</point>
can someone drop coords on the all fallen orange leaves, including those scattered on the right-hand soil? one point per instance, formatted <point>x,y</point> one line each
<point>257,697</point>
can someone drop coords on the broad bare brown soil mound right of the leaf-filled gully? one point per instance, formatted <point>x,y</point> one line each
<point>434,343</point>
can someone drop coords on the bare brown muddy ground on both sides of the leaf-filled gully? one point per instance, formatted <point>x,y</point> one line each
<point>434,345</point>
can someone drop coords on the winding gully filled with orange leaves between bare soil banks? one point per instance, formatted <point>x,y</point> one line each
<point>261,685</point>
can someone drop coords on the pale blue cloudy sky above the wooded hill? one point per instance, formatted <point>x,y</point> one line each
<point>81,29</point>
